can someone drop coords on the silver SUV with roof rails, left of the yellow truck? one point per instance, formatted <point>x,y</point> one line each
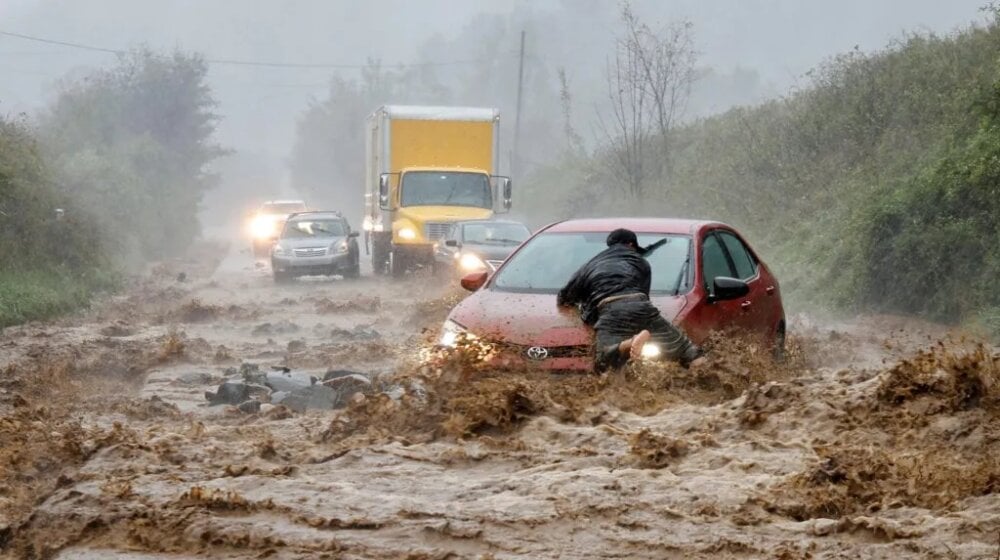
<point>315,243</point>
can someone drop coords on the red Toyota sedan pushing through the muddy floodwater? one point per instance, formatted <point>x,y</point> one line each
<point>705,278</point>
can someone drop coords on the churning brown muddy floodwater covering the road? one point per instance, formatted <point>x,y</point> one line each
<point>877,438</point>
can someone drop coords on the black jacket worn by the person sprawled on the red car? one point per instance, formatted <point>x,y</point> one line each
<point>617,270</point>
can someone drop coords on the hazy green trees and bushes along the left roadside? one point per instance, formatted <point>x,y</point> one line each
<point>123,154</point>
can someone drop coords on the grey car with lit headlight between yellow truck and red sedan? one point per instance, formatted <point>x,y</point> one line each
<point>479,245</point>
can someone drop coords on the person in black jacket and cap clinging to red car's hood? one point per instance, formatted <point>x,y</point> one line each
<point>612,291</point>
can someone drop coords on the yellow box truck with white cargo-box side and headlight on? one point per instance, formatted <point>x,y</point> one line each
<point>426,168</point>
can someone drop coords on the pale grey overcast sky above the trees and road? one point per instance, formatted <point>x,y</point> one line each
<point>778,39</point>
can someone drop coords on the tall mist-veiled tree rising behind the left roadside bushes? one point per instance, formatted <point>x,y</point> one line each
<point>132,144</point>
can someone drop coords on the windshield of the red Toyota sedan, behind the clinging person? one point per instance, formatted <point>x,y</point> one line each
<point>548,261</point>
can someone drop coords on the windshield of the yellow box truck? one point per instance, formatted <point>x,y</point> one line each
<point>436,188</point>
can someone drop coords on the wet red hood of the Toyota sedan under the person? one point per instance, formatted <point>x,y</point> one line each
<point>533,319</point>
